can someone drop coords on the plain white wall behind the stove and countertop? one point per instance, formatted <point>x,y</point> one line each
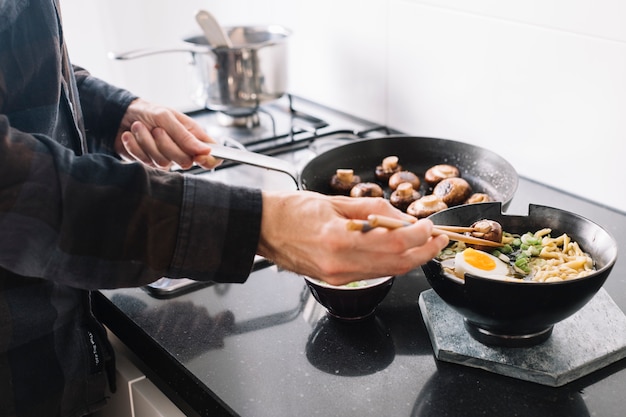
<point>542,82</point>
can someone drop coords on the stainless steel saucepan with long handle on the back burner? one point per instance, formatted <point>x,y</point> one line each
<point>234,80</point>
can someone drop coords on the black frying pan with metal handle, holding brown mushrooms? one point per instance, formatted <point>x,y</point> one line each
<point>485,171</point>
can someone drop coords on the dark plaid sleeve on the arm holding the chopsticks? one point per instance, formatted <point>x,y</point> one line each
<point>92,221</point>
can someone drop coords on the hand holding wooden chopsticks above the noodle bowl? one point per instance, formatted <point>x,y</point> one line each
<point>307,233</point>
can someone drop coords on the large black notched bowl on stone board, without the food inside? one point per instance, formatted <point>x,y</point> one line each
<point>521,314</point>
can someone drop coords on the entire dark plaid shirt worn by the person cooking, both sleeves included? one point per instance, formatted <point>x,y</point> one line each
<point>74,218</point>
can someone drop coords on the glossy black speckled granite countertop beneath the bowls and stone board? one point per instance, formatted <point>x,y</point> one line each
<point>266,348</point>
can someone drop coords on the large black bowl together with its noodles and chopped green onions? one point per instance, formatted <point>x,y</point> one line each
<point>508,314</point>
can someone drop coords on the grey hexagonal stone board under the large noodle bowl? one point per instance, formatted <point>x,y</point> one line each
<point>592,338</point>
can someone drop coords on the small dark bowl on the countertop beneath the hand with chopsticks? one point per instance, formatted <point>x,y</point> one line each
<point>350,303</point>
